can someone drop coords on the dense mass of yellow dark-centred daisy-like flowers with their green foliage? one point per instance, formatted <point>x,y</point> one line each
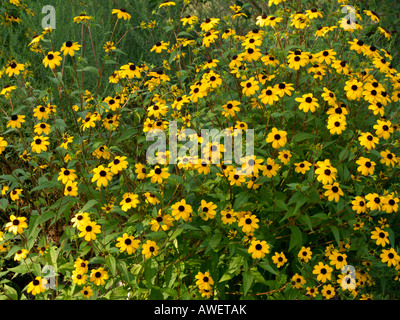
<point>320,93</point>
